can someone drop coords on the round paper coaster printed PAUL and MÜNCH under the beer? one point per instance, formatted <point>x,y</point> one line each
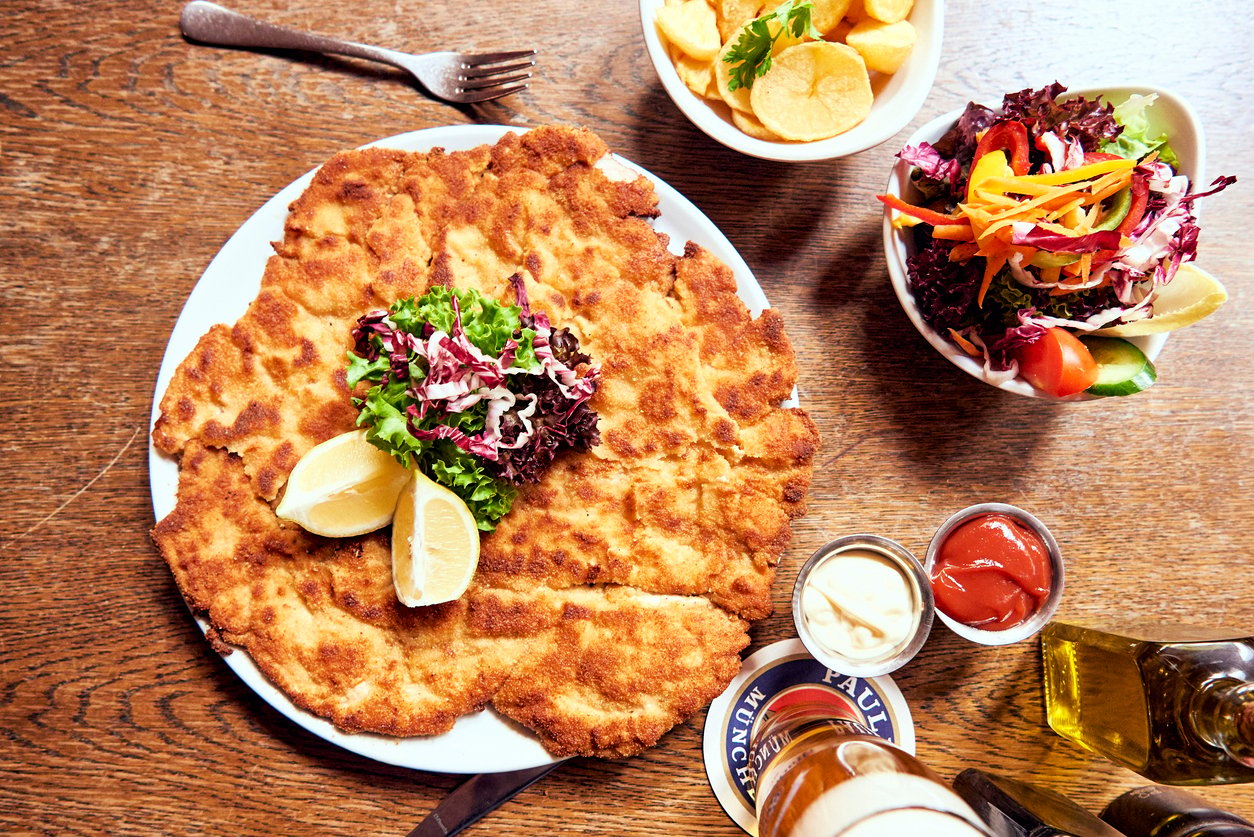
<point>777,677</point>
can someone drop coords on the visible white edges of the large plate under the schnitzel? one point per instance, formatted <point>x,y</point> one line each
<point>483,742</point>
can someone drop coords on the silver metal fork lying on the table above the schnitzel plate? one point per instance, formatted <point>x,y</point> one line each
<point>455,77</point>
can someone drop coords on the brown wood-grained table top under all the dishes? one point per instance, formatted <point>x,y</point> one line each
<point>129,156</point>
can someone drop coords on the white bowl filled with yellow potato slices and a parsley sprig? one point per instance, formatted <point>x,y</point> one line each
<point>866,119</point>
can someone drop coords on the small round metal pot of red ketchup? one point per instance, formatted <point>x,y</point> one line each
<point>991,573</point>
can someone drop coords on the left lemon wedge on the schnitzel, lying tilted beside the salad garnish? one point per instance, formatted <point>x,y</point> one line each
<point>343,488</point>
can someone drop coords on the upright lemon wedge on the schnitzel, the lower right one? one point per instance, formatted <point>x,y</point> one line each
<point>436,544</point>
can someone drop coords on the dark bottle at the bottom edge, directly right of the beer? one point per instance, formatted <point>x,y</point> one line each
<point>1015,809</point>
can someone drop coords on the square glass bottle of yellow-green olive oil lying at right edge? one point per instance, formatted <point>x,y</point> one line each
<point>1172,703</point>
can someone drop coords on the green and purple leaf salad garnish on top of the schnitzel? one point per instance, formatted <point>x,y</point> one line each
<point>478,396</point>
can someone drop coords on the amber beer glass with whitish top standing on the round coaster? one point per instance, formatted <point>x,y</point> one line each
<point>818,776</point>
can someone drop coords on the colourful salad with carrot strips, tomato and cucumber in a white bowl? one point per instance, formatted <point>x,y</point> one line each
<point>1050,219</point>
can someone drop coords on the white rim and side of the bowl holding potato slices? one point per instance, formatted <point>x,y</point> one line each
<point>898,97</point>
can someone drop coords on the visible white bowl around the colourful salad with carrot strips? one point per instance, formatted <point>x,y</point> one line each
<point>1169,115</point>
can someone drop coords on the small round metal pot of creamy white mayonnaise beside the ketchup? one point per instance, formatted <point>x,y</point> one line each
<point>860,604</point>
